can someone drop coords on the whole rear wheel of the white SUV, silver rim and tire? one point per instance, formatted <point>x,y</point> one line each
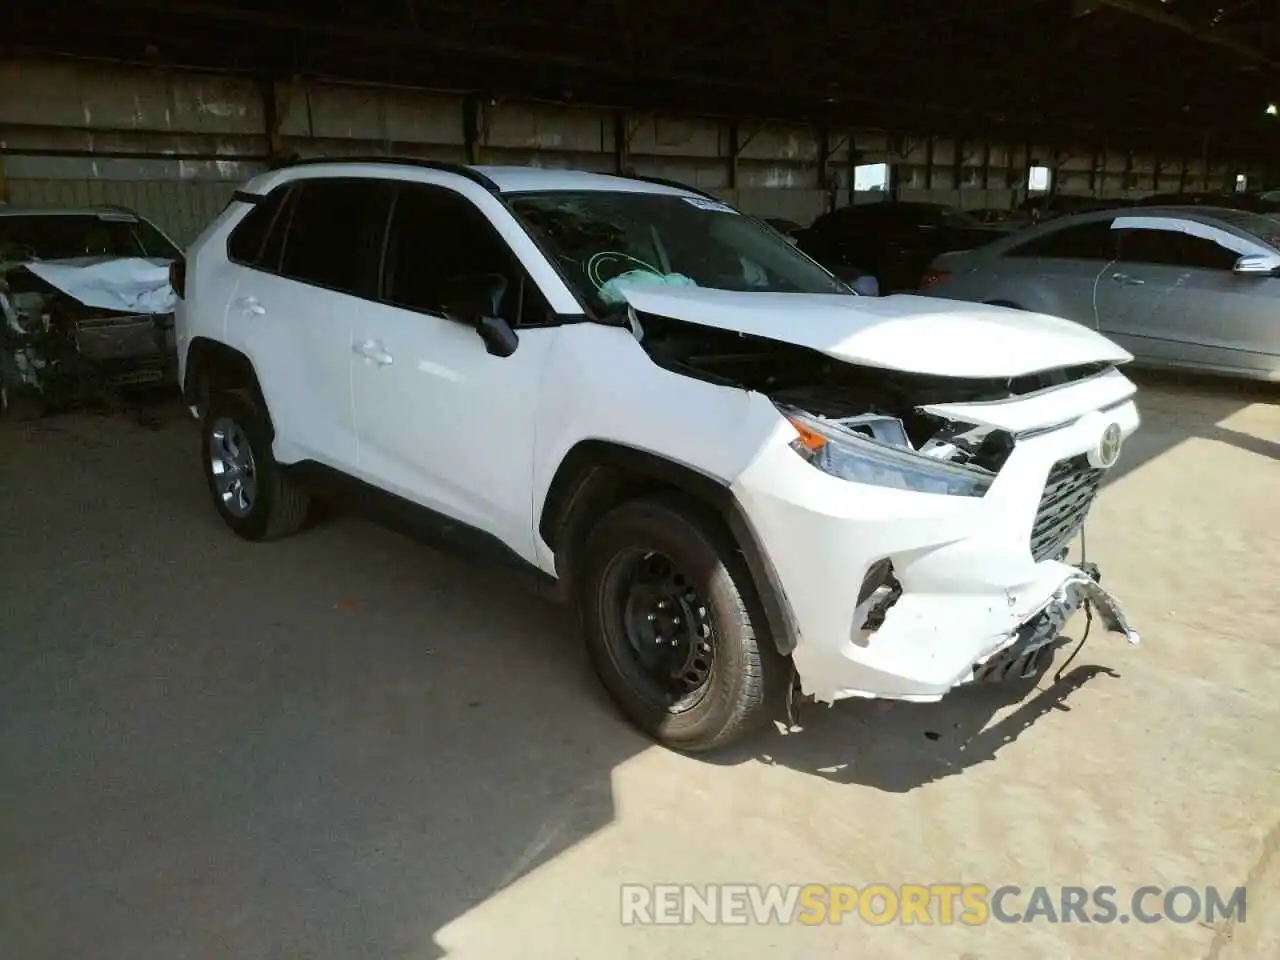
<point>250,491</point>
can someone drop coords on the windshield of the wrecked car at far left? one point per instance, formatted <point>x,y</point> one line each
<point>66,236</point>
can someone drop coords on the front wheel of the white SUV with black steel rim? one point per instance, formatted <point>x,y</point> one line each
<point>668,605</point>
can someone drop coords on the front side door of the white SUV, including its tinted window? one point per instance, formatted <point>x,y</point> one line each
<point>440,420</point>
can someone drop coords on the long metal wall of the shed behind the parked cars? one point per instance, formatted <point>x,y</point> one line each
<point>175,145</point>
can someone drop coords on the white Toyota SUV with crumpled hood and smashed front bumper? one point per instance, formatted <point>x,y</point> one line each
<point>744,474</point>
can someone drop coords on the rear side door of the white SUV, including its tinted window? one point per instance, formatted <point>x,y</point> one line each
<point>294,313</point>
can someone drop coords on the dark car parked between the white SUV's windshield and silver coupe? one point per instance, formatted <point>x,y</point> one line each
<point>894,241</point>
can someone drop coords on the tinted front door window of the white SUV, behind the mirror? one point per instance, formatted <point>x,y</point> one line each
<point>438,236</point>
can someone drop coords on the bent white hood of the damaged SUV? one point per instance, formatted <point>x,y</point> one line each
<point>909,333</point>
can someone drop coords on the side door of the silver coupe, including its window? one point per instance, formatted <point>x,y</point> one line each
<point>1197,312</point>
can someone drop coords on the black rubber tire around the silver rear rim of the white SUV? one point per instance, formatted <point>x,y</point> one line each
<point>280,506</point>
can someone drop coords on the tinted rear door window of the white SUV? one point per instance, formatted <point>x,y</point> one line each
<point>335,235</point>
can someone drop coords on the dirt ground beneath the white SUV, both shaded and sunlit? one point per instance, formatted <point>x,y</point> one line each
<point>348,746</point>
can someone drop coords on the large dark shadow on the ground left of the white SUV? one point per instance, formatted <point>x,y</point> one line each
<point>330,747</point>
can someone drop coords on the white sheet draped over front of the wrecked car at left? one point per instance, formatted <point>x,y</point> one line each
<point>127,285</point>
